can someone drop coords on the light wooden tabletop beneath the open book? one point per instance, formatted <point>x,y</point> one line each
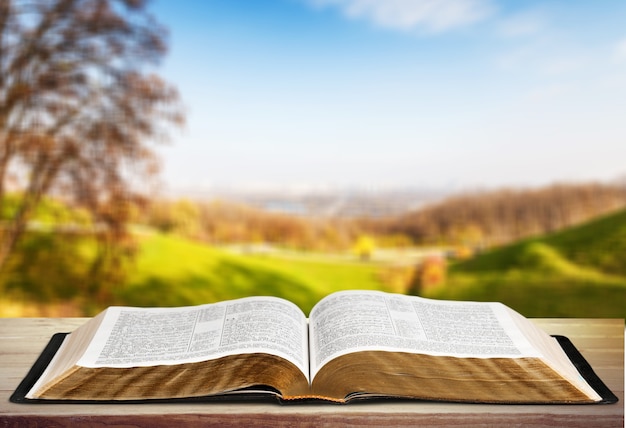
<point>601,341</point>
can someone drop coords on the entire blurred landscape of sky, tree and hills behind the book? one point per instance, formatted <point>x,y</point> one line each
<point>159,153</point>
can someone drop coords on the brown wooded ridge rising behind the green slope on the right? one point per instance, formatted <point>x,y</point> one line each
<point>506,215</point>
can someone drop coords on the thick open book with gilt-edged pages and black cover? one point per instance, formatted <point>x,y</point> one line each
<point>355,344</point>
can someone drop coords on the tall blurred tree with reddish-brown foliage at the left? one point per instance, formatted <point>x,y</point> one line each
<point>80,108</point>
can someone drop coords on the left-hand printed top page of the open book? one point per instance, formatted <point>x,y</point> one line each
<point>130,337</point>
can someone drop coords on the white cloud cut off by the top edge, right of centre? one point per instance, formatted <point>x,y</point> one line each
<point>425,15</point>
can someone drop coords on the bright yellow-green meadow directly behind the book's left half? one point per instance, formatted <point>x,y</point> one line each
<point>175,272</point>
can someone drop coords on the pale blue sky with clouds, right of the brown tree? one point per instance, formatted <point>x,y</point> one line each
<point>375,94</point>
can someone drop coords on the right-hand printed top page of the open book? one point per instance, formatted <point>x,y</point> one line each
<point>351,321</point>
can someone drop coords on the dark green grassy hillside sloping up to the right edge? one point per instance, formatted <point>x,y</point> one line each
<point>578,272</point>
